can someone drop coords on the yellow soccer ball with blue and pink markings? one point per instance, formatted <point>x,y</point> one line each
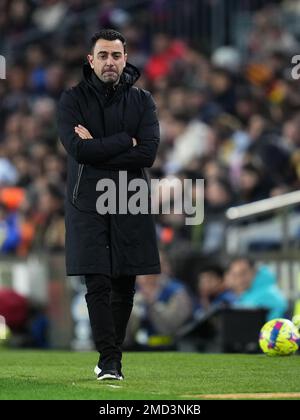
<point>279,337</point>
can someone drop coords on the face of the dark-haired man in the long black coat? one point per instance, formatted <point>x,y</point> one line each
<point>108,60</point>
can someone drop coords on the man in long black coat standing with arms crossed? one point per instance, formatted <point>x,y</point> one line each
<point>106,126</point>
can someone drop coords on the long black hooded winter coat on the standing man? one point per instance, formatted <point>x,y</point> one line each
<point>112,244</point>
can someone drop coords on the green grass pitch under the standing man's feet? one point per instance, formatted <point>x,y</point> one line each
<point>167,376</point>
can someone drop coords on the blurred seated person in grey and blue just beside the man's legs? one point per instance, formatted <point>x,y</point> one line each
<point>162,306</point>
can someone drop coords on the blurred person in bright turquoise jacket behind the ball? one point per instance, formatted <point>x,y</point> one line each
<point>256,287</point>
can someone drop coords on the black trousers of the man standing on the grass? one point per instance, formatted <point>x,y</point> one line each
<point>109,301</point>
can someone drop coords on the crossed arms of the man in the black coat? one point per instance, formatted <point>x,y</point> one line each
<point>120,150</point>
